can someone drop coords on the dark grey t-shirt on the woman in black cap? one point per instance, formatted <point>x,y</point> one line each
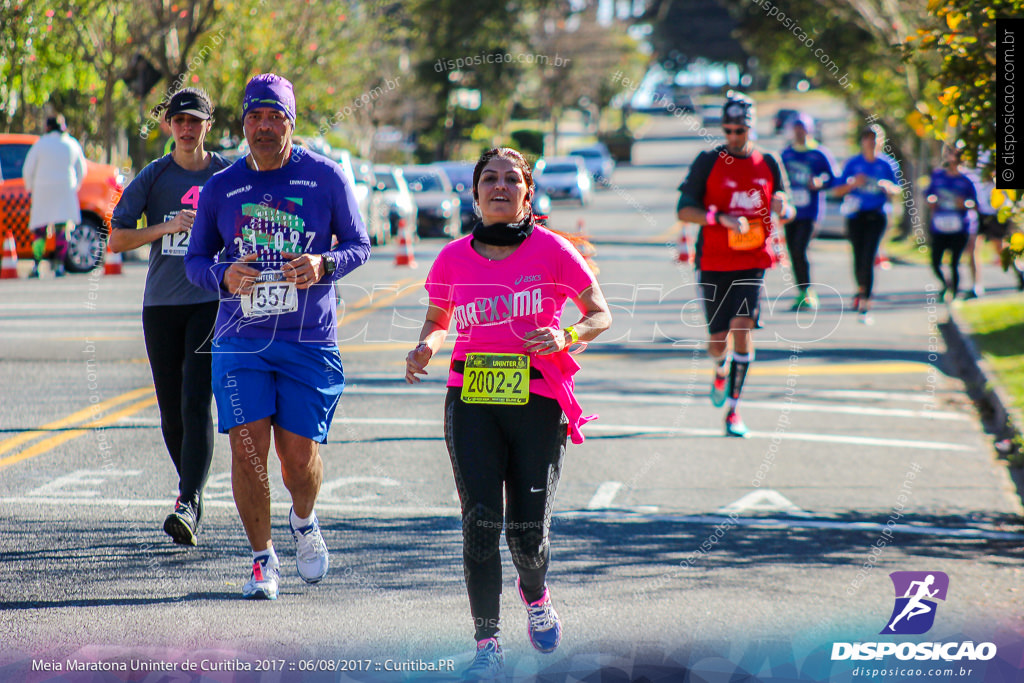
<point>161,191</point>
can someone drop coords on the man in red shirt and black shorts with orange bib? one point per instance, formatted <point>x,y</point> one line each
<point>732,193</point>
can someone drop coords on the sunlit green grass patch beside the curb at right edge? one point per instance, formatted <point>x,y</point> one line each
<point>998,327</point>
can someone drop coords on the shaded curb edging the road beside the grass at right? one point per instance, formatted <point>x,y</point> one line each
<point>1000,417</point>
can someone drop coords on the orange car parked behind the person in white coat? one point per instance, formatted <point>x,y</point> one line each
<point>98,198</point>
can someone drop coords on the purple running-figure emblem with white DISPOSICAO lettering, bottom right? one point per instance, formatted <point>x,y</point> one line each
<point>914,614</point>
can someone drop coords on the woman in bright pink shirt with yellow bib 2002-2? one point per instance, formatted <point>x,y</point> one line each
<point>510,405</point>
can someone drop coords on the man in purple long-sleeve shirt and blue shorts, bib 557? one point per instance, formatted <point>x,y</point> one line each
<point>272,234</point>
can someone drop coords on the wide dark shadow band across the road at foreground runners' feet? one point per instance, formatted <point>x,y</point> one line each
<point>391,557</point>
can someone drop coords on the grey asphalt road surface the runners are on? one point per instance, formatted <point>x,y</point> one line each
<point>675,549</point>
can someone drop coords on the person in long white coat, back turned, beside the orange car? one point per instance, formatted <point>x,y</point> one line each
<point>55,170</point>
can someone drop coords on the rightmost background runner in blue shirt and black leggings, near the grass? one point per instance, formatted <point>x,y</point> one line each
<point>953,198</point>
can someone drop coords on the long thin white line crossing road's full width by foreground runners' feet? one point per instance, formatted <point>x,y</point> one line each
<point>282,507</point>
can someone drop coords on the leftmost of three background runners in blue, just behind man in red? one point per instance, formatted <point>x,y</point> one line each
<point>812,169</point>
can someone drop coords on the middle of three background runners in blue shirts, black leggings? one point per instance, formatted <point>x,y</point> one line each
<point>869,182</point>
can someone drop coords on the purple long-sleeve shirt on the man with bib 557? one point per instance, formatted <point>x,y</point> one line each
<point>303,207</point>
